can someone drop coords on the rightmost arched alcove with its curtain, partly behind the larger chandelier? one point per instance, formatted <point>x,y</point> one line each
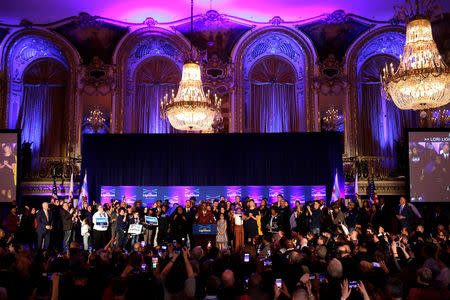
<point>379,124</point>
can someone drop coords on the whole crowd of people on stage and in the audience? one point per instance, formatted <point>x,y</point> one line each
<point>353,250</point>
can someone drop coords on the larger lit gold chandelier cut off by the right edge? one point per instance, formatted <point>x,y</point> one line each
<point>422,80</point>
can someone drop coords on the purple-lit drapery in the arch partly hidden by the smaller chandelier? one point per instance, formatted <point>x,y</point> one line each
<point>154,78</point>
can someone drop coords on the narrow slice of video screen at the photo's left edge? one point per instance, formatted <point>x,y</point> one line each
<point>8,166</point>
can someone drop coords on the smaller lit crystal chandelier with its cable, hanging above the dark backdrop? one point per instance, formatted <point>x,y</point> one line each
<point>191,109</point>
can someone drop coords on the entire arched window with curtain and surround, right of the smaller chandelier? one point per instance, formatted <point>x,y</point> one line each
<point>273,71</point>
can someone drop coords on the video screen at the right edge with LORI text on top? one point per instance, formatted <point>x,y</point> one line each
<point>429,166</point>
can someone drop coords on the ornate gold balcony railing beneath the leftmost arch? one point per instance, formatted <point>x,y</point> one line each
<point>45,168</point>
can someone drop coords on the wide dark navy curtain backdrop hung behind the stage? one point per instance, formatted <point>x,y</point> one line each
<point>239,159</point>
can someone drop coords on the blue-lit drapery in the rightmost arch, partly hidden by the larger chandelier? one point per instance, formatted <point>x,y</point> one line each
<point>380,122</point>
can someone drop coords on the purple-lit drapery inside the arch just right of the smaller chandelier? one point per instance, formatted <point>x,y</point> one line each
<point>273,105</point>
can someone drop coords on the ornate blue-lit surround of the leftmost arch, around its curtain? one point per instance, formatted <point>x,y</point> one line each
<point>24,48</point>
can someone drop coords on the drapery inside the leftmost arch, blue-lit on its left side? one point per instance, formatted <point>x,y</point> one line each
<point>42,109</point>
